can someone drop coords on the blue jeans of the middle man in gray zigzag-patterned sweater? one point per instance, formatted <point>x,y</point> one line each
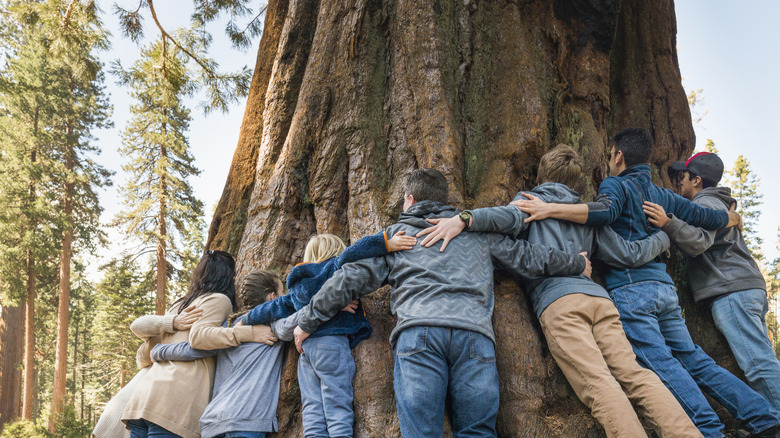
<point>431,362</point>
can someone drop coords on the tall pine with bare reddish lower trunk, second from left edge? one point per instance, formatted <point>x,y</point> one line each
<point>72,34</point>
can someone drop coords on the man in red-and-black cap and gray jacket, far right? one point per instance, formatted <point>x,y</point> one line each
<point>723,275</point>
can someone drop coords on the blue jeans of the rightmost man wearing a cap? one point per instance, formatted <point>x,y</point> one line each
<point>740,316</point>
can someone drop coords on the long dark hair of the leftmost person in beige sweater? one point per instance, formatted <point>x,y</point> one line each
<point>214,274</point>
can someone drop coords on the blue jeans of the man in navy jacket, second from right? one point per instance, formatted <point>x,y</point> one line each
<point>652,320</point>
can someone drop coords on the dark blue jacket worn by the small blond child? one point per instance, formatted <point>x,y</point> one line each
<point>306,280</point>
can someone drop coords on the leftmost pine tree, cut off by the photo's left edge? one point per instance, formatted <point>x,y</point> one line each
<point>28,194</point>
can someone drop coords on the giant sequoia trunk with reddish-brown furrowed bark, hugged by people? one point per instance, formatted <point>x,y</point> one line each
<point>350,95</point>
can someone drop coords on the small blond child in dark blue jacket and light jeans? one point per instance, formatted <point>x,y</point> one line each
<point>326,369</point>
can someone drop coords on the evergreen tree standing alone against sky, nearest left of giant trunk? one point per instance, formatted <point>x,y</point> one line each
<point>161,210</point>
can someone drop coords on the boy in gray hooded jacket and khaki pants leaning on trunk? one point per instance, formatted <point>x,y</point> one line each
<point>578,319</point>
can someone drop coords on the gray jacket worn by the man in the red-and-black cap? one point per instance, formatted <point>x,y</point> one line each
<point>719,262</point>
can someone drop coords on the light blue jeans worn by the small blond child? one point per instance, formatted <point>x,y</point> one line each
<point>326,370</point>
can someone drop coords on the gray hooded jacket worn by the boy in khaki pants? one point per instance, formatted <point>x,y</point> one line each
<point>599,242</point>
